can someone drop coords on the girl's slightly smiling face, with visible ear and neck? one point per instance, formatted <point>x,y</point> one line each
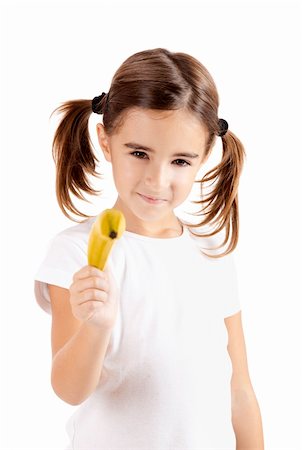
<point>155,158</point>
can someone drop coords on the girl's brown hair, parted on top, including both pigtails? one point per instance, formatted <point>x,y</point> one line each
<point>152,79</point>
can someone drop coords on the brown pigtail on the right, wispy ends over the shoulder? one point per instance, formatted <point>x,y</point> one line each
<point>222,202</point>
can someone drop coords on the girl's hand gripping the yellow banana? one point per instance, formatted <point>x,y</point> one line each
<point>94,296</point>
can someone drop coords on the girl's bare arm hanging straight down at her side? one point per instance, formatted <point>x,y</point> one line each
<point>246,416</point>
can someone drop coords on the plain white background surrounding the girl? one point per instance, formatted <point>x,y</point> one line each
<point>57,51</point>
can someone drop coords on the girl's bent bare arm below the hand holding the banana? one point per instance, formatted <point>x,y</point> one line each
<point>78,350</point>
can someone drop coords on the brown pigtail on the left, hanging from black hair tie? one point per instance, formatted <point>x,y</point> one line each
<point>73,154</point>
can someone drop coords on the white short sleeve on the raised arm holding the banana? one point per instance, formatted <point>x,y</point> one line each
<point>64,257</point>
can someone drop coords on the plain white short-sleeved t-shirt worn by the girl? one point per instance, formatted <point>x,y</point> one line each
<point>165,383</point>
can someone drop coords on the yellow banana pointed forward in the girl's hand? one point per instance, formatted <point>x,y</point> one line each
<point>108,227</point>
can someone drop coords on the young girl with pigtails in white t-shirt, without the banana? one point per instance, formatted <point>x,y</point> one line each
<point>151,348</point>
